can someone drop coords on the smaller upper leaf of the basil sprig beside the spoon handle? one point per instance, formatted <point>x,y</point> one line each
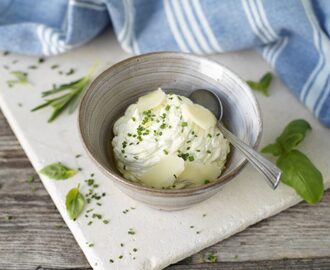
<point>293,134</point>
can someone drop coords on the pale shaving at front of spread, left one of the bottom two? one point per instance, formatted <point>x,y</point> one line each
<point>164,173</point>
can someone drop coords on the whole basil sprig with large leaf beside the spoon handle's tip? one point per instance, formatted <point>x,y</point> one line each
<point>298,171</point>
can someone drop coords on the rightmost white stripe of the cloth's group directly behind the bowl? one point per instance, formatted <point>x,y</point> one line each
<point>205,26</point>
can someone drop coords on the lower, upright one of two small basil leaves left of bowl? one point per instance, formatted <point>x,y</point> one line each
<point>74,203</point>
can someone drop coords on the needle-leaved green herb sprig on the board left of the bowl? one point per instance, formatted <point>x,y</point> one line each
<point>70,99</point>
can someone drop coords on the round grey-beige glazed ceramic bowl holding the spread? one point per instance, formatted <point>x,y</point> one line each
<point>120,85</point>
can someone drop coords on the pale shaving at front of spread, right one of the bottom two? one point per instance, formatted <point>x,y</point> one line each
<point>198,173</point>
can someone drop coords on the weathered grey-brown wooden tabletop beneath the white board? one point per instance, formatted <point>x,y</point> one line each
<point>34,236</point>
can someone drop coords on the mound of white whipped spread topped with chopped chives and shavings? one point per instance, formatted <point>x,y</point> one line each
<point>144,138</point>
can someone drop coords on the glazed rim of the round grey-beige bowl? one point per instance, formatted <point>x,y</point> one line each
<point>166,192</point>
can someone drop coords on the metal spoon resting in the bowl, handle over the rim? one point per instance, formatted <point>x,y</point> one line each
<point>211,101</point>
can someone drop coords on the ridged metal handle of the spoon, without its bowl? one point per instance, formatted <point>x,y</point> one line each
<point>267,168</point>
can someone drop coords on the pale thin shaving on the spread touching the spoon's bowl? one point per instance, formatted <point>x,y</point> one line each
<point>199,115</point>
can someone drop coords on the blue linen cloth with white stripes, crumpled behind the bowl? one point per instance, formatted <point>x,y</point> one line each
<point>292,36</point>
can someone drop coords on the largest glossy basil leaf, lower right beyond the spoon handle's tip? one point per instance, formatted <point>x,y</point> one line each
<point>301,174</point>
